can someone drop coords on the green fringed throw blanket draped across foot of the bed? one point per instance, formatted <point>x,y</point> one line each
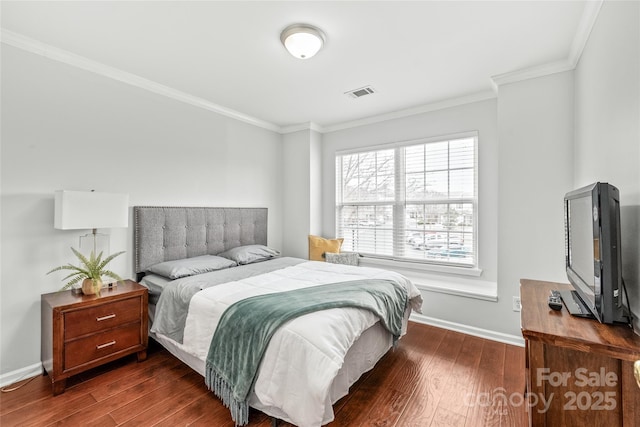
<point>246,327</point>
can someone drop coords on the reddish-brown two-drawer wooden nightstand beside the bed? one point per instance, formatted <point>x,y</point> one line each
<point>80,332</point>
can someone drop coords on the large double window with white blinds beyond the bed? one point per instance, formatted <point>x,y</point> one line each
<point>413,201</point>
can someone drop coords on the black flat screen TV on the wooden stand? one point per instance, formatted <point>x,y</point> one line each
<point>593,258</point>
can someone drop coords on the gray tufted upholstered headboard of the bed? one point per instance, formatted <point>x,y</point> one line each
<point>165,233</point>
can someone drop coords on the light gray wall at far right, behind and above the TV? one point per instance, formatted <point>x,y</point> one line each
<point>607,123</point>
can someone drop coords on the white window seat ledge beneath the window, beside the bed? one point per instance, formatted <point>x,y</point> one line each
<point>431,278</point>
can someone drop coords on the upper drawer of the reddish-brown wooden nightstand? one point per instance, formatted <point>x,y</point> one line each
<point>105,316</point>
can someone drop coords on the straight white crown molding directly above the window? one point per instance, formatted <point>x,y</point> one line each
<point>448,103</point>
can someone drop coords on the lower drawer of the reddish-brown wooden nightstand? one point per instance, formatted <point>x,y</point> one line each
<point>100,345</point>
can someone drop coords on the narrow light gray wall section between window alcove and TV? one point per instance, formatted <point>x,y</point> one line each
<point>535,121</point>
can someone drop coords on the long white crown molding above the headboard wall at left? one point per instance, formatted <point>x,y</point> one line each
<point>51,52</point>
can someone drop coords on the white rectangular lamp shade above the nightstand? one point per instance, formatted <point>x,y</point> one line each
<point>76,210</point>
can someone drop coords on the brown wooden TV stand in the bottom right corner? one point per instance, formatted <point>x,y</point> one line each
<point>579,371</point>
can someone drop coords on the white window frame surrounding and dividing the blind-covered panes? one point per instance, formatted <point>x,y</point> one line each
<point>400,202</point>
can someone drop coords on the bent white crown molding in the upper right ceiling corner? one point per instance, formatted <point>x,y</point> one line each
<point>587,21</point>
